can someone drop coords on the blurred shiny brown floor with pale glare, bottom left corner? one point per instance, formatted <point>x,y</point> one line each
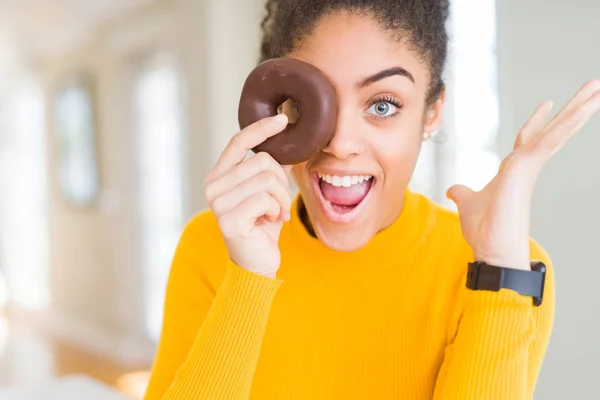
<point>27,356</point>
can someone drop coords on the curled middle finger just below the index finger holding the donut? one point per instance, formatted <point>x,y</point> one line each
<point>257,164</point>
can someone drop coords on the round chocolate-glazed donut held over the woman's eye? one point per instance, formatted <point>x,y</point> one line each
<point>273,82</point>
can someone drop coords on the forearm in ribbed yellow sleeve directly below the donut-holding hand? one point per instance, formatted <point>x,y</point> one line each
<point>222,361</point>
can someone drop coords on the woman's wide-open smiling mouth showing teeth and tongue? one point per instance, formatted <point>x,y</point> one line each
<point>342,197</point>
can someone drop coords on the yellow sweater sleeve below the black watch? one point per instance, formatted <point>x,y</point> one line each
<point>499,345</point>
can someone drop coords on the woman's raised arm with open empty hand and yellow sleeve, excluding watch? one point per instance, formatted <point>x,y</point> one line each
<point>501,338</point>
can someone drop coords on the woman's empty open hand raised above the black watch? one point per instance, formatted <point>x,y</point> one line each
<point>495,220</point>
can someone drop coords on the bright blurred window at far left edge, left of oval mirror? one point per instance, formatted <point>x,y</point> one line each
<point>24,229</point>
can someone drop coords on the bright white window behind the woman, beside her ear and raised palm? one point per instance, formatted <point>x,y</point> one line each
<point>465,149</point>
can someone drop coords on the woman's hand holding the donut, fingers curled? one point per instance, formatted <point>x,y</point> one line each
<point>251,198</point>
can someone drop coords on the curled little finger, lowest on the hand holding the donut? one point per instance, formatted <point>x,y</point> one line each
<point>242,219</point>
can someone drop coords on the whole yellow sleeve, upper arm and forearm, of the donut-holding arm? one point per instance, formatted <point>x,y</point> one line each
<point>211,340</point>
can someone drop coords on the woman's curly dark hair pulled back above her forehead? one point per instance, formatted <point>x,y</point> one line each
<point>420,23</point>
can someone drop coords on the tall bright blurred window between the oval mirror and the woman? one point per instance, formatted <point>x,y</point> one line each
<point>160,174</point>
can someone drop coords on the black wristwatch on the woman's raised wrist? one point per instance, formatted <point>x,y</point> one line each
<point>482,276</point>
